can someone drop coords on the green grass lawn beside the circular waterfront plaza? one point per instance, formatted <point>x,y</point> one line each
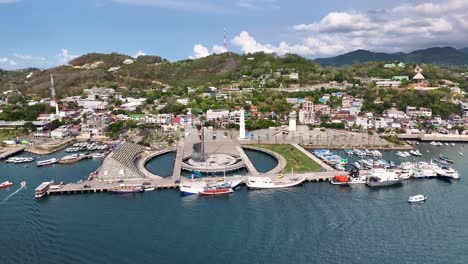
<point>295,159</point>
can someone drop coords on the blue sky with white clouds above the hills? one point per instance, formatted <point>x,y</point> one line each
<point>47,33</point>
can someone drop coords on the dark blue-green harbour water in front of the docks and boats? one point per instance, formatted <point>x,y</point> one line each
<point>312,223</point>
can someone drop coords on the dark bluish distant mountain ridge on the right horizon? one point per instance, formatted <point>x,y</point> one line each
<point>437,56</point>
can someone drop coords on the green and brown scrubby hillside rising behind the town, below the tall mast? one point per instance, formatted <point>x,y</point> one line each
<point>118,70</point>
